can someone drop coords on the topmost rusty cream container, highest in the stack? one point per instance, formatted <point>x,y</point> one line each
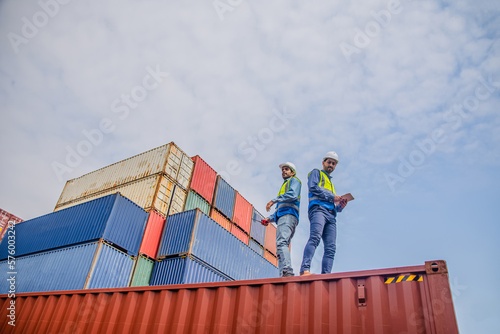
<point>164,159</point>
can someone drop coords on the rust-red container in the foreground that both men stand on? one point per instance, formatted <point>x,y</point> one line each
<point>352,302</point>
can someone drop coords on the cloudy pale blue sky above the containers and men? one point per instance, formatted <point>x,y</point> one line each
<point>406,92</point>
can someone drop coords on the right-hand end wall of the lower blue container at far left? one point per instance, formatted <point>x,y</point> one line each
<point>112,269</point>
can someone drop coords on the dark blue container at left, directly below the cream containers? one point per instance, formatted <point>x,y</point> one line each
<point>113,218</point>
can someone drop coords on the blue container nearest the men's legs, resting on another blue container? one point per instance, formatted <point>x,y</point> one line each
<point>193,232</point>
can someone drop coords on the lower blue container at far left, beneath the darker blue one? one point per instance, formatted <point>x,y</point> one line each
<point>68,269</point>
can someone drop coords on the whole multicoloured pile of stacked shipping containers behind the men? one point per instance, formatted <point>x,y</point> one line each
<point>164,182</point>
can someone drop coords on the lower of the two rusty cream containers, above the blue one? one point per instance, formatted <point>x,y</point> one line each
<point>151,193</point>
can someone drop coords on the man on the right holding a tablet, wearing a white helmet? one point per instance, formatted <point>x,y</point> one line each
<point>324,205</point>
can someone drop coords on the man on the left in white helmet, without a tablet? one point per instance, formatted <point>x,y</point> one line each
<point>286,216</point>
